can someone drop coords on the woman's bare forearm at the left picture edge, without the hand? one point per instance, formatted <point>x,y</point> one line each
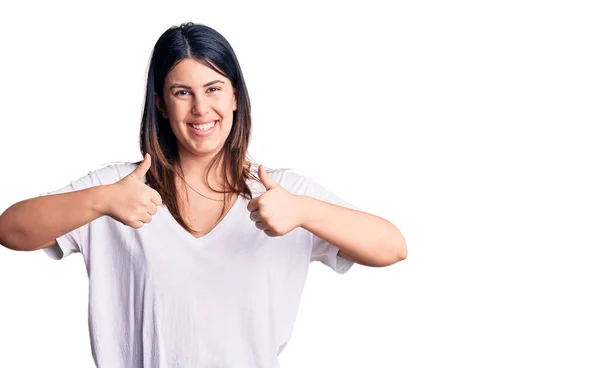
<point>29,224</point>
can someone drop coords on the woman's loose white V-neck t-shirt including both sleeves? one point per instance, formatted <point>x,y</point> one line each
<point>159,297</point>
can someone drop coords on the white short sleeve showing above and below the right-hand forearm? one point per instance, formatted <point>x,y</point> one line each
<point>322,250</point>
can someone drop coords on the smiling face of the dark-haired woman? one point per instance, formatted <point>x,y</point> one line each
<point>199,104</point>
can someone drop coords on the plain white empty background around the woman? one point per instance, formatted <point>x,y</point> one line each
<point>471,125</point>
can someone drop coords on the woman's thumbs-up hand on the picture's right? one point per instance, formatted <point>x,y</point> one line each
<point>276,212</point>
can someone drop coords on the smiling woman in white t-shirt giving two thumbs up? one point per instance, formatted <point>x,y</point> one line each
<point>196,256</point>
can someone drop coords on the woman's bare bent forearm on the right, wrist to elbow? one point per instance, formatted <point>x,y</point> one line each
<point>361,237</point>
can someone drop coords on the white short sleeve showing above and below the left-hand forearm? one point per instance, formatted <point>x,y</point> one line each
<point>76,241</point>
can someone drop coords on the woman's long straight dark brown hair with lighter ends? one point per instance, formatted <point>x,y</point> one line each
<point>207,46</point>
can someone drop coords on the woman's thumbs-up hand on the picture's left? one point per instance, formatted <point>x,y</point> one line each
<point>131,202</point>
